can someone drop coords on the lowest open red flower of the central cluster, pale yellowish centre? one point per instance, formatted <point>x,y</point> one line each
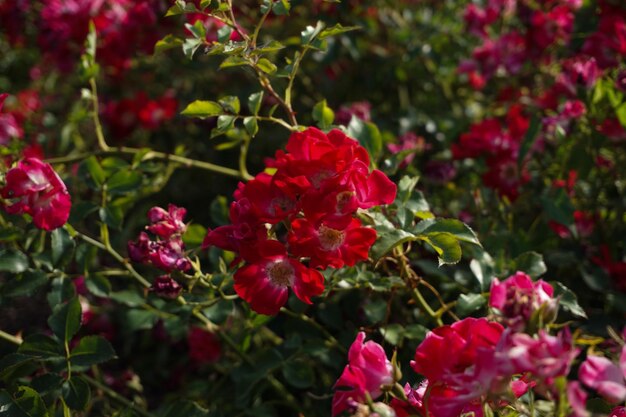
<point>267,275</point>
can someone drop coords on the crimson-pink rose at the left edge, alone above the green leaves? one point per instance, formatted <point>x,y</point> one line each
<point>34,188</point>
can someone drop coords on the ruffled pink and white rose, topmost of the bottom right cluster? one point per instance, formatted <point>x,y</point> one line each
<point>518,297</point>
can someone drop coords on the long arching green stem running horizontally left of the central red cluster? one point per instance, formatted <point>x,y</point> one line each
<point>125,150</point>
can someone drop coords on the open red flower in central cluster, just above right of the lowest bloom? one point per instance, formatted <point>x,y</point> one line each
<point>329,244</point>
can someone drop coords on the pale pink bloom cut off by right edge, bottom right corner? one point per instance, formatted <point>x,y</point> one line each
<point>605,377</point>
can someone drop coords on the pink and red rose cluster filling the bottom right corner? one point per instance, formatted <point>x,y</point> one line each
<point>476,362</point>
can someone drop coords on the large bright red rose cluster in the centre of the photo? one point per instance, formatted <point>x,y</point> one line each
<point>288,225</point>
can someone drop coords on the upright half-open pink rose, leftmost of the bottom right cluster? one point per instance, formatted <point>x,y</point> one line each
<point>368,370</point>
